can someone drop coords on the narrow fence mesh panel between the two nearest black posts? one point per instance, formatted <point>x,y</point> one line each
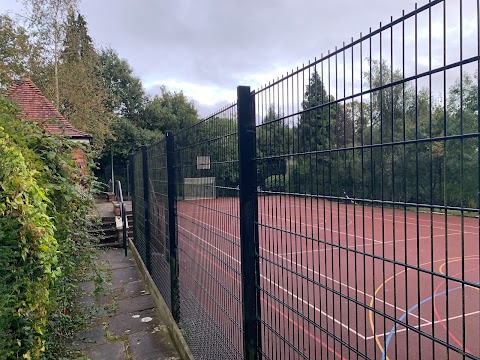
<point>208,237</point>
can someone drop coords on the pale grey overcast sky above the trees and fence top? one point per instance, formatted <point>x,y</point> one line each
<point>208,47</point>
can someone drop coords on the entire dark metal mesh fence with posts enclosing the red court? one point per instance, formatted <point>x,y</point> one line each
<point>333,213</point>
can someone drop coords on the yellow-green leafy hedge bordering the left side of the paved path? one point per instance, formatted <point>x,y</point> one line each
<point>44,238</point>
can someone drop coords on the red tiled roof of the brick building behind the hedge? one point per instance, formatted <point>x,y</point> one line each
<point>36,107</point>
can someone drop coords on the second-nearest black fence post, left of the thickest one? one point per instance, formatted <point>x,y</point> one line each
<point>172,226</point>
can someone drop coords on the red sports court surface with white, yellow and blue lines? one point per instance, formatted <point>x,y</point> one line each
<point>340,280</point>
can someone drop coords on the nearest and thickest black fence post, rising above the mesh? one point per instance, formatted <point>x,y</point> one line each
<point>248,223</point>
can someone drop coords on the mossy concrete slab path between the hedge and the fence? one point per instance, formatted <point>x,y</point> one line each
<point>125,323</point>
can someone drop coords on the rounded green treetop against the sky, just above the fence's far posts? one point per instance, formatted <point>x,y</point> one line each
<point>169,111</point>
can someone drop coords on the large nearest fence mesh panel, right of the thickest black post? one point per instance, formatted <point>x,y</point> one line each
<point>368,165</point>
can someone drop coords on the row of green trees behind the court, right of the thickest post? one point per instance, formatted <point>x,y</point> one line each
<point>344,157</point>
